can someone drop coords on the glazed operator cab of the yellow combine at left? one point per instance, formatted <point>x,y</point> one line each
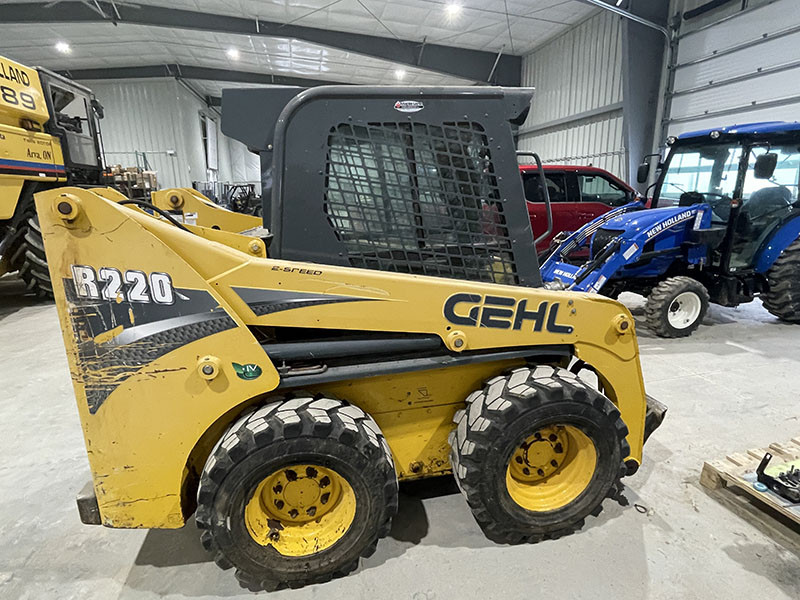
<point>75,115</point>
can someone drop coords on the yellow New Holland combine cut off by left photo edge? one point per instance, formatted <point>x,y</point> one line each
<point>49,137</point>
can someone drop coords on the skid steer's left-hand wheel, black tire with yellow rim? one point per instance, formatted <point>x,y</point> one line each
<point>296,492</point>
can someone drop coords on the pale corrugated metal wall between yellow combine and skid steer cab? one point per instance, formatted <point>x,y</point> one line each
<point>162,119</point>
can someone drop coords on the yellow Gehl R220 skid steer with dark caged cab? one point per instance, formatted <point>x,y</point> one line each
<point>397,330</point>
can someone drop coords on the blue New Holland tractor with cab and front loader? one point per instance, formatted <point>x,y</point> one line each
<point>724,227</point>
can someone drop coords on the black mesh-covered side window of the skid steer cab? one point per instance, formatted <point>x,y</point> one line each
<point>418,198</point>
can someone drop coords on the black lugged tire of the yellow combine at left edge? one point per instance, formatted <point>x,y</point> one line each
<point>26,249</point>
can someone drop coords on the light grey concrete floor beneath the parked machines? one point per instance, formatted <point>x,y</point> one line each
<point>731,386</point>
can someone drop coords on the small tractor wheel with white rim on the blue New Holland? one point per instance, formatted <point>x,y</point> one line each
<point>676,307</point>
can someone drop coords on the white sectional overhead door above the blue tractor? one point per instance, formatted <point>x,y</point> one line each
<point>737,68</point>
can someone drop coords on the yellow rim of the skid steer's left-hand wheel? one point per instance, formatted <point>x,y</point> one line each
<point>300,510</point>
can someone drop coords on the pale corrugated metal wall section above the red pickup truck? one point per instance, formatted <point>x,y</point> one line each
<point>578,76</point>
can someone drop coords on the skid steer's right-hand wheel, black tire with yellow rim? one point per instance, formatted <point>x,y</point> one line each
<point>537,451</point>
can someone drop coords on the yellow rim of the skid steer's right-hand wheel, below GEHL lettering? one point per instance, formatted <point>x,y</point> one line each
<point>551,468</point>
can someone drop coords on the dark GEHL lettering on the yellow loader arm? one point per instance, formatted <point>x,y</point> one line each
<point>500,312</point>
